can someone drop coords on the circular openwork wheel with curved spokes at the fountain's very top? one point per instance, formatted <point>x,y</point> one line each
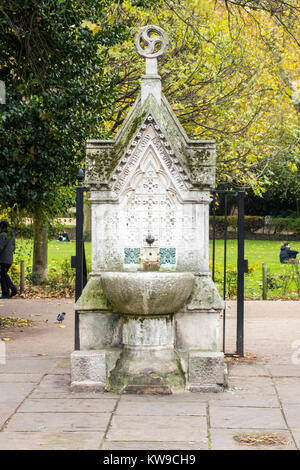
<point>145,36</point>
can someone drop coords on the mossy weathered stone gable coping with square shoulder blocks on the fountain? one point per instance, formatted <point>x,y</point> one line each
<point>104,156</point>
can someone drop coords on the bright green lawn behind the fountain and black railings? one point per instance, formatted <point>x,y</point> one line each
<point>256,251</point>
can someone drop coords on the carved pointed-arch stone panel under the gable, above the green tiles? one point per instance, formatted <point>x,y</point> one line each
<point>148,183</point>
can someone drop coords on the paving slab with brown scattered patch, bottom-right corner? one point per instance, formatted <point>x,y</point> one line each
<point>223,439</point>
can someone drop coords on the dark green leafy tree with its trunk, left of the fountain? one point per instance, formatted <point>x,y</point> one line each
<point>53,59</point>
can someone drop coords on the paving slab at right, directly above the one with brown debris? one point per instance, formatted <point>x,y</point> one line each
<point>246,417</point>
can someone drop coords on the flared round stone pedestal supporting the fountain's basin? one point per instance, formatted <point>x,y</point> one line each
<point>148,362</point>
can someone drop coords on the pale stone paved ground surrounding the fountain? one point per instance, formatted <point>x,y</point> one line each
<point>38,411</point>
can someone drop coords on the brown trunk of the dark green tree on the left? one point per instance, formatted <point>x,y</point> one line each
<point>40,250</point>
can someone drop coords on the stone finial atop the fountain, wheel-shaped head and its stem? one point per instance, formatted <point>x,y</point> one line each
<point>151,42</point>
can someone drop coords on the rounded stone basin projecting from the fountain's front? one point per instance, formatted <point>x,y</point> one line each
<point>147,293</point>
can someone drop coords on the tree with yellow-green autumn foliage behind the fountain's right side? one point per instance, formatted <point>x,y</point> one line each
<point>223,82</point>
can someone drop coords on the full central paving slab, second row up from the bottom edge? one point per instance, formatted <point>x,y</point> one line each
<point>158,428</point>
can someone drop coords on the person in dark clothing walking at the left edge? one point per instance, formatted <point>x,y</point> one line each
<point>7,247</point>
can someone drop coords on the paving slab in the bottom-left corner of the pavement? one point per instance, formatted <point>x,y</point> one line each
<point>50,440</point>
